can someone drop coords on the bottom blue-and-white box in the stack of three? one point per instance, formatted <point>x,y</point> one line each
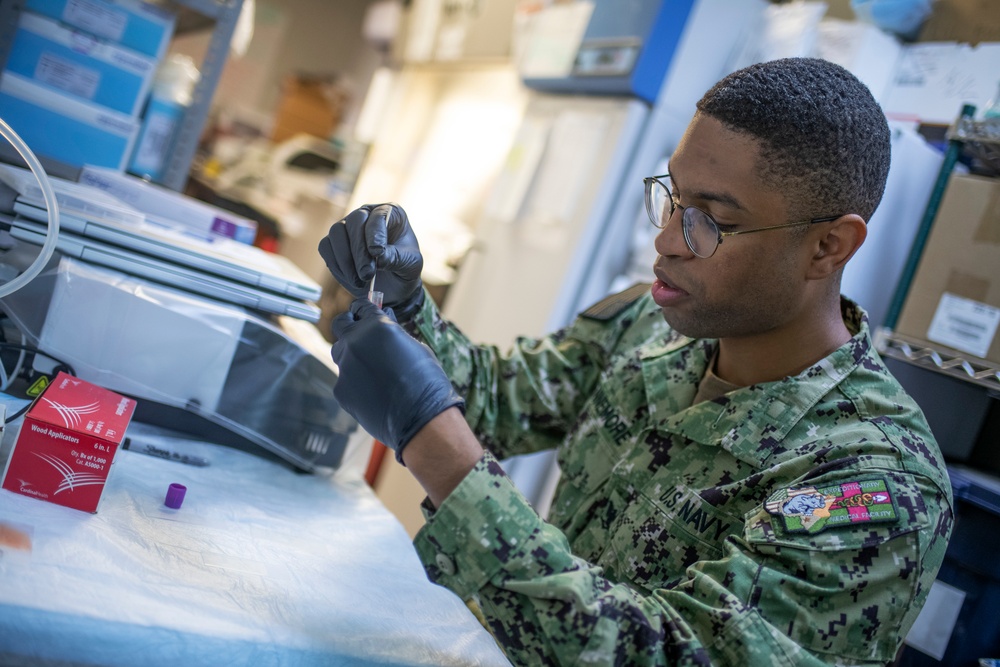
<point>66,129</point>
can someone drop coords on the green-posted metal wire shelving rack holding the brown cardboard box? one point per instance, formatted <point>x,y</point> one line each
<point>981,140</point>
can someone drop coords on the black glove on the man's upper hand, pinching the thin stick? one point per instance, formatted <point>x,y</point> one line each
<point>377,236</point>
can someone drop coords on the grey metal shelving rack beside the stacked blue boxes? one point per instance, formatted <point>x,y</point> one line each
<point>224,14</point>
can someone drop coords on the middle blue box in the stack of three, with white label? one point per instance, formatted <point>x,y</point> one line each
<point>80,65</point>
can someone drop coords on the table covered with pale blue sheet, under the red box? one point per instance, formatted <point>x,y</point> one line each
<point>260,565</point>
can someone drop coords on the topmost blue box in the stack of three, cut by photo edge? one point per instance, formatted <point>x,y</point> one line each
<point>139,26</point>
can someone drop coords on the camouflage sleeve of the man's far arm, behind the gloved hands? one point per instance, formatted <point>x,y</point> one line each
<point>525,399</point>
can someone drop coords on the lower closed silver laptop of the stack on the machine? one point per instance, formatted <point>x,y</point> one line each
<point>168,273</point>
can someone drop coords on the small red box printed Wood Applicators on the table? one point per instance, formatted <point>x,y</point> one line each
<point>68,442</point>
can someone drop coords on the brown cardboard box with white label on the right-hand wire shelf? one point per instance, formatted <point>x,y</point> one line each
<point>954,300</point>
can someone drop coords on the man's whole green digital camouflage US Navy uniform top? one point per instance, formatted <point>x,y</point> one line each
<point>666,542</point>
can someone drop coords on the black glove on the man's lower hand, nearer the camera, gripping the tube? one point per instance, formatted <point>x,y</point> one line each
<point>390,382</point>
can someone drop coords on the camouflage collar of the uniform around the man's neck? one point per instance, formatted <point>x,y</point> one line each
<point>751,422</point>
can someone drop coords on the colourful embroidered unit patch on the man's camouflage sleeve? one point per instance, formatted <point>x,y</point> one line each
<point>810,509</point>
